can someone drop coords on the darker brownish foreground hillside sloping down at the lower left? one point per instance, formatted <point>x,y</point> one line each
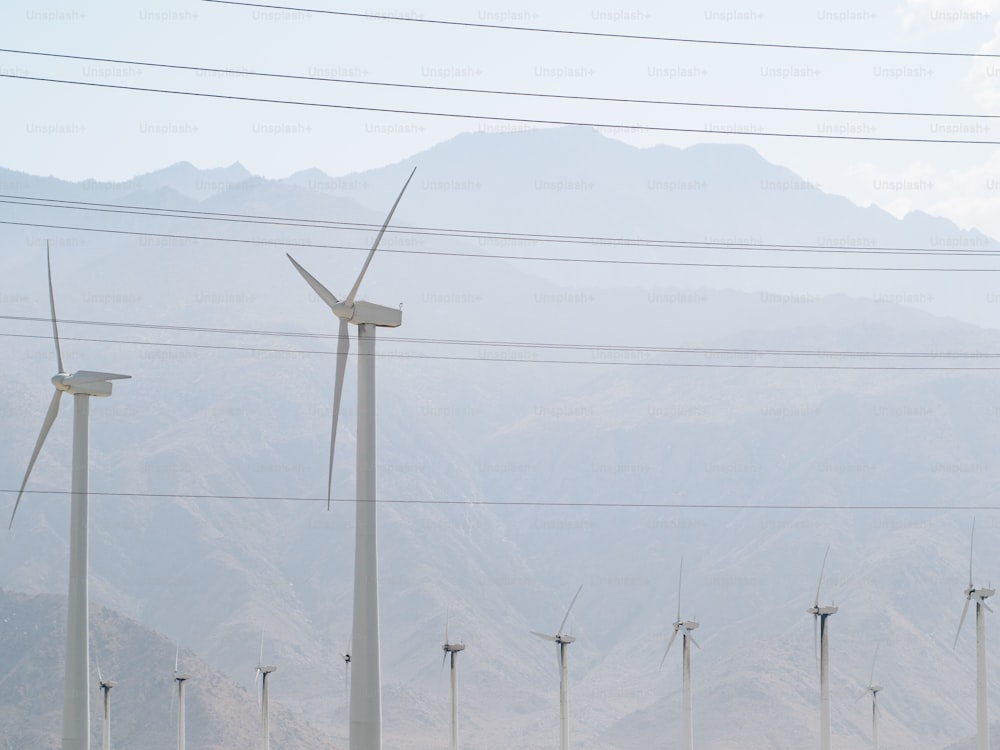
<point>219,714</point>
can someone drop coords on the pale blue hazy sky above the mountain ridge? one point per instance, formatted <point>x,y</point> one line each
<point>77,132</point>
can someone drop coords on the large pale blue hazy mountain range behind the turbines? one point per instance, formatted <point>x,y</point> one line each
<point>660,429</point>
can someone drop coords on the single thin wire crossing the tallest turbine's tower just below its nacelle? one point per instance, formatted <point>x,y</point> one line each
<point>609,360</point>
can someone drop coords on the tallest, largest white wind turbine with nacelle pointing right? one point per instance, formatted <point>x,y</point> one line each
<point>366,687</point>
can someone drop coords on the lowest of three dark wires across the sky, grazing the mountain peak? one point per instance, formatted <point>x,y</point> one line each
<point>507,119</point>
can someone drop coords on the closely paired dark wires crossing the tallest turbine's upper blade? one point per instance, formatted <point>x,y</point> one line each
<point>252,219</point>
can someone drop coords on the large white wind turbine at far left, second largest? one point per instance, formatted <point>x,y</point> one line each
<point>82,385</point>
